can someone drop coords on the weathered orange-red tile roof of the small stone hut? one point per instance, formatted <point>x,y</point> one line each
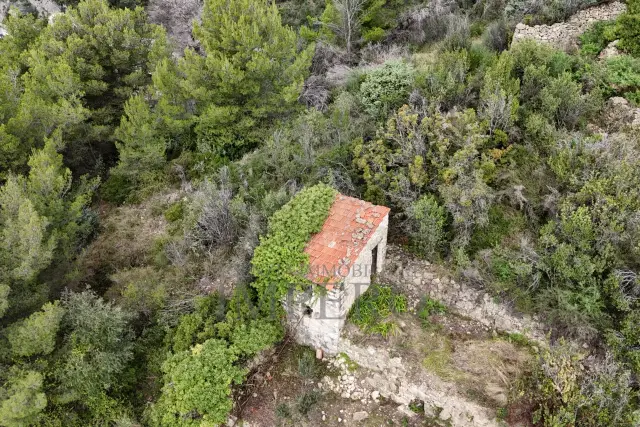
<point>349,226</point>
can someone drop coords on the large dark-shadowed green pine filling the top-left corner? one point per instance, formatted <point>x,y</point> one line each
<point>79,72</point>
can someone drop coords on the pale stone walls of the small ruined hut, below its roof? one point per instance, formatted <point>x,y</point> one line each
<point>317,320</point>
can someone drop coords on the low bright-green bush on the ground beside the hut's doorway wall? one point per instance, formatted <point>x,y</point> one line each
<point>372,311</point>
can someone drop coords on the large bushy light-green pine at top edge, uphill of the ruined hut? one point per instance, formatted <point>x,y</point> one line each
<point>249,75</point>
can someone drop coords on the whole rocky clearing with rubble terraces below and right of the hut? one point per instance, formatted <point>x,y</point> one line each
<point>452,369</point>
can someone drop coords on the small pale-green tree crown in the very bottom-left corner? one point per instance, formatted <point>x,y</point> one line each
<point>22,400</point>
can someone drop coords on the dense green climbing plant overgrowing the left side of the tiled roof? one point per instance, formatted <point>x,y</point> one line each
<point>279,262</point>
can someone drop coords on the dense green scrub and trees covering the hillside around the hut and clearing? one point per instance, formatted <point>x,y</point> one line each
<point>157,191</point>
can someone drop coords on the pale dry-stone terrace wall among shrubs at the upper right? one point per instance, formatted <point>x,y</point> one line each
<point>564,35</point>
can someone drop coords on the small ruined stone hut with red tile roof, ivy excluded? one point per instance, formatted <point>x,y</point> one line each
<point>343,256</point>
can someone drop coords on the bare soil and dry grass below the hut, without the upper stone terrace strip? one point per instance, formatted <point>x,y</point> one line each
<point>455,359</point>
